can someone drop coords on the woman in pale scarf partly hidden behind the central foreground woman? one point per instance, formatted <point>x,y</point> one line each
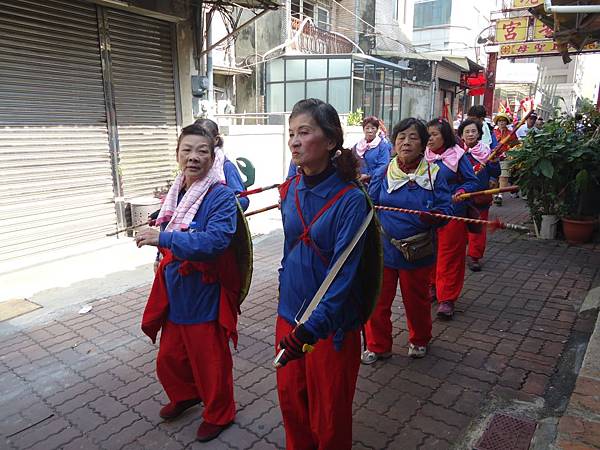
<point>373,150</point>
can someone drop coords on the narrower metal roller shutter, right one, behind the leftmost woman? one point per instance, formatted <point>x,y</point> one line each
<point>144,89</point>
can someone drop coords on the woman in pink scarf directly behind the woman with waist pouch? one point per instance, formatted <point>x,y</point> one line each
<point>456,169</point>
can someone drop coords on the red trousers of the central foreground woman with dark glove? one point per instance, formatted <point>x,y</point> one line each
<point>316,393</point>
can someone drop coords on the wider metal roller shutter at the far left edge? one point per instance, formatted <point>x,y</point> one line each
<point>54,157</point>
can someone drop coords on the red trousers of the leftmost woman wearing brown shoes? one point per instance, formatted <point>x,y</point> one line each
<point>195,361</point>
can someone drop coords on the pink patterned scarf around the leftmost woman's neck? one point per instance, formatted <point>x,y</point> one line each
<point>180,216</point>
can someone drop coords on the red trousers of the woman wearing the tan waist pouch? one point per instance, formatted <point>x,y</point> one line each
<point>414,285</point>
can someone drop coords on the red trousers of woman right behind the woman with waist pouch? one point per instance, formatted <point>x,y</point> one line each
<point>450,262</point>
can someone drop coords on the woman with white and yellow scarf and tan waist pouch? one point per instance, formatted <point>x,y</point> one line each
<point>408,181</point>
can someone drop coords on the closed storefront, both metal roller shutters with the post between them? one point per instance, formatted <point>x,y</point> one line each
<point>88,119</point>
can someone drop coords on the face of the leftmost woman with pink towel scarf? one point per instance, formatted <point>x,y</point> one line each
<point>194,157</point>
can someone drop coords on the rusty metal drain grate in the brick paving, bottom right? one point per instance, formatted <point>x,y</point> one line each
<point>507,432</point>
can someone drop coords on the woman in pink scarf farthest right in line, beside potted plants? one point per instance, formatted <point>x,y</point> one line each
<point>488,172</point>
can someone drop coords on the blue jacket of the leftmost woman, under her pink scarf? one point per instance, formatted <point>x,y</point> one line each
<point>190,300</point>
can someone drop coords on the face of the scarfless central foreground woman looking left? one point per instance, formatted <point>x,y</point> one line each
<point>309,146</point>
